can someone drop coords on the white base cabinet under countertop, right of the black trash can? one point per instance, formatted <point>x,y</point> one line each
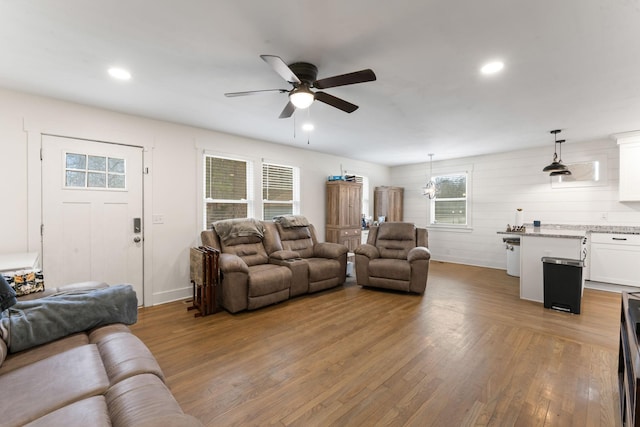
<point>615,258</point>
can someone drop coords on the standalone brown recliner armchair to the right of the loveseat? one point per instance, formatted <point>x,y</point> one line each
<point>394,257</point>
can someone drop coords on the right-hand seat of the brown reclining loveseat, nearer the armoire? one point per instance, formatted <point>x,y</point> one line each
<point>315,265</point>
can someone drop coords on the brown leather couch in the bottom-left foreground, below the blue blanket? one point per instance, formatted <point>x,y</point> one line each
<point>102,377</point>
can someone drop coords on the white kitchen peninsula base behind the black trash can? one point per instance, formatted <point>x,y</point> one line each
<point>532,249</point>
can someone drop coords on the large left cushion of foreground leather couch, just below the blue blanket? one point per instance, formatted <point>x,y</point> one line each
<point>53,383</point>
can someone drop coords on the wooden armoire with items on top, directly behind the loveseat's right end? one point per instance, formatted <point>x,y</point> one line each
<point>344,213</point>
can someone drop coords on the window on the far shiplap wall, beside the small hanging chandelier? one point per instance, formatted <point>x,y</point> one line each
<point>450,207</point>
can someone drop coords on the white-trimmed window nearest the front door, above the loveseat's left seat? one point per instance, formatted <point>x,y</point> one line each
<point>227,189</point>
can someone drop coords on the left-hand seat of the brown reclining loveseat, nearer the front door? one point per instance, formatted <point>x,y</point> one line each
<point>249,281</point>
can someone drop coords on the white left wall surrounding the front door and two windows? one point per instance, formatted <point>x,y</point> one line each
<point>172,188</point>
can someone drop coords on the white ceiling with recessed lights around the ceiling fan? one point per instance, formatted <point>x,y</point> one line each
<point>569,64</point>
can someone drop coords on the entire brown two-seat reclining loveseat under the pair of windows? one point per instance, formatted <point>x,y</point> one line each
<point>259,268</point>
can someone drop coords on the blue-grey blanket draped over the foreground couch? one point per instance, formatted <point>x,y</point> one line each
<point>38,321</point>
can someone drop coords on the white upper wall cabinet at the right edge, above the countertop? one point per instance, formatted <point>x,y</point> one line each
<point>629,183</point>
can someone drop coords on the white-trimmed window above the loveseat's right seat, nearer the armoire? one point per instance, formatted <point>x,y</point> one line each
<point>280,190</point>
